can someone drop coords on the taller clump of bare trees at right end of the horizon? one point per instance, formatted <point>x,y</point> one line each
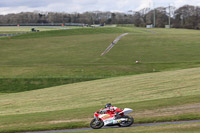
<point>184,17</point>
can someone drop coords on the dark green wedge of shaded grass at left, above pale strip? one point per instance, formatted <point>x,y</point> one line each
<point>14,85</point>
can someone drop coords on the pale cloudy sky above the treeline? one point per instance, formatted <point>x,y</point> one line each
<point>16,6</point>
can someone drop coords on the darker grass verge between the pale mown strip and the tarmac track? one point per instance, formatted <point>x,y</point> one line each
<point>78,118</point>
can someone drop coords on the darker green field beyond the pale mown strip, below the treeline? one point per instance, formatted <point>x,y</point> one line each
<point>75,54</point>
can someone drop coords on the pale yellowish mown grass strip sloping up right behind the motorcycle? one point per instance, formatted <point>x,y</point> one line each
<point>135,88</point>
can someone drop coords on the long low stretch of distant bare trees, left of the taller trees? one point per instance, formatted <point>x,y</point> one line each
<point>96,17</point>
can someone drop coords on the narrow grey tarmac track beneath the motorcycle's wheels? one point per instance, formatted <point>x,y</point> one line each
<point>134,125</point>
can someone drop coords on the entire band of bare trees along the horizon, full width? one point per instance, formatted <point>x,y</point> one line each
<point>184,17</point>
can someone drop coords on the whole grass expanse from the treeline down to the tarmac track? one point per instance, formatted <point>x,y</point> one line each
<point>37,71</point>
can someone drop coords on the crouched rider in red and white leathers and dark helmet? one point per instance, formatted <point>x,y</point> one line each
<point>109,109</point>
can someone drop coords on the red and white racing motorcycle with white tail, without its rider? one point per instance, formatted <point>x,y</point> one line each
<point>120,119</point>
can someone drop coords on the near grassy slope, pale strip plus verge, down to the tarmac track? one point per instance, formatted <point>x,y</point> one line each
<point>164,96</point>
